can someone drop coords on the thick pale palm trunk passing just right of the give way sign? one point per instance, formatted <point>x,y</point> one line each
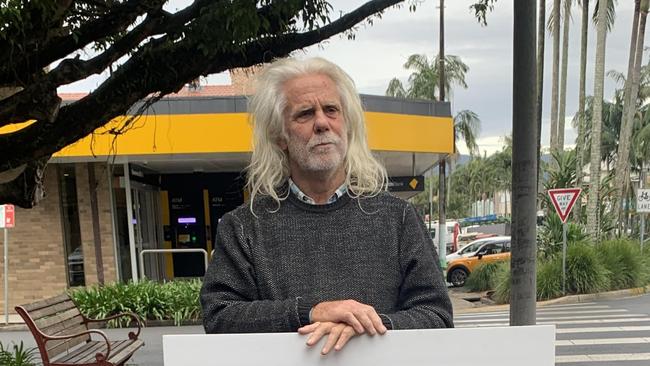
<point>597,122</point>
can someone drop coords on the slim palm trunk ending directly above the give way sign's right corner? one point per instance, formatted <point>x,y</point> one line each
<point>581,93</point>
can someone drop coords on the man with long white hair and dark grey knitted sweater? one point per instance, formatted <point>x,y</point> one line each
<point>321,249</point>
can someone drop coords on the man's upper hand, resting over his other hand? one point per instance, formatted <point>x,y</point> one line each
<point>363,318</point>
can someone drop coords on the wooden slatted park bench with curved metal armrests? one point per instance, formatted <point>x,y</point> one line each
<point>63,337</point>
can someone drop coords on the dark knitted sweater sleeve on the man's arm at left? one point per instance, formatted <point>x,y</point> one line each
<point>229,296</point>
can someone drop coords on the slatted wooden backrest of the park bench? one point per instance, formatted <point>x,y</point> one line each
<point>55,316</point>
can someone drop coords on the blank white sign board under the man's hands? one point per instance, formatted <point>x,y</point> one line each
<point>499,346</point>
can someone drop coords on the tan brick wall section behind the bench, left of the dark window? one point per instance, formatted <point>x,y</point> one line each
<point>36,260</point>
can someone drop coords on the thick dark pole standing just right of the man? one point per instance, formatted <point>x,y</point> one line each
<point>524,167</point>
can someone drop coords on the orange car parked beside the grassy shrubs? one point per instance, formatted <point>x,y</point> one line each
<point>460,268</point>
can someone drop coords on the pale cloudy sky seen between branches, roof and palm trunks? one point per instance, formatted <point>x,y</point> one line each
<point>379,51</point>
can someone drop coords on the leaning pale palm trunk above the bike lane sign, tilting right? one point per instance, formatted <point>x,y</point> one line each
<point>629,104</point>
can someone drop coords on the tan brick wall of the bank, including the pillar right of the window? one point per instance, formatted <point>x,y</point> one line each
<point>36,245</point>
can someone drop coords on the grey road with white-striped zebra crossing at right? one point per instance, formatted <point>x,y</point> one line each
<point>612,333</point>
